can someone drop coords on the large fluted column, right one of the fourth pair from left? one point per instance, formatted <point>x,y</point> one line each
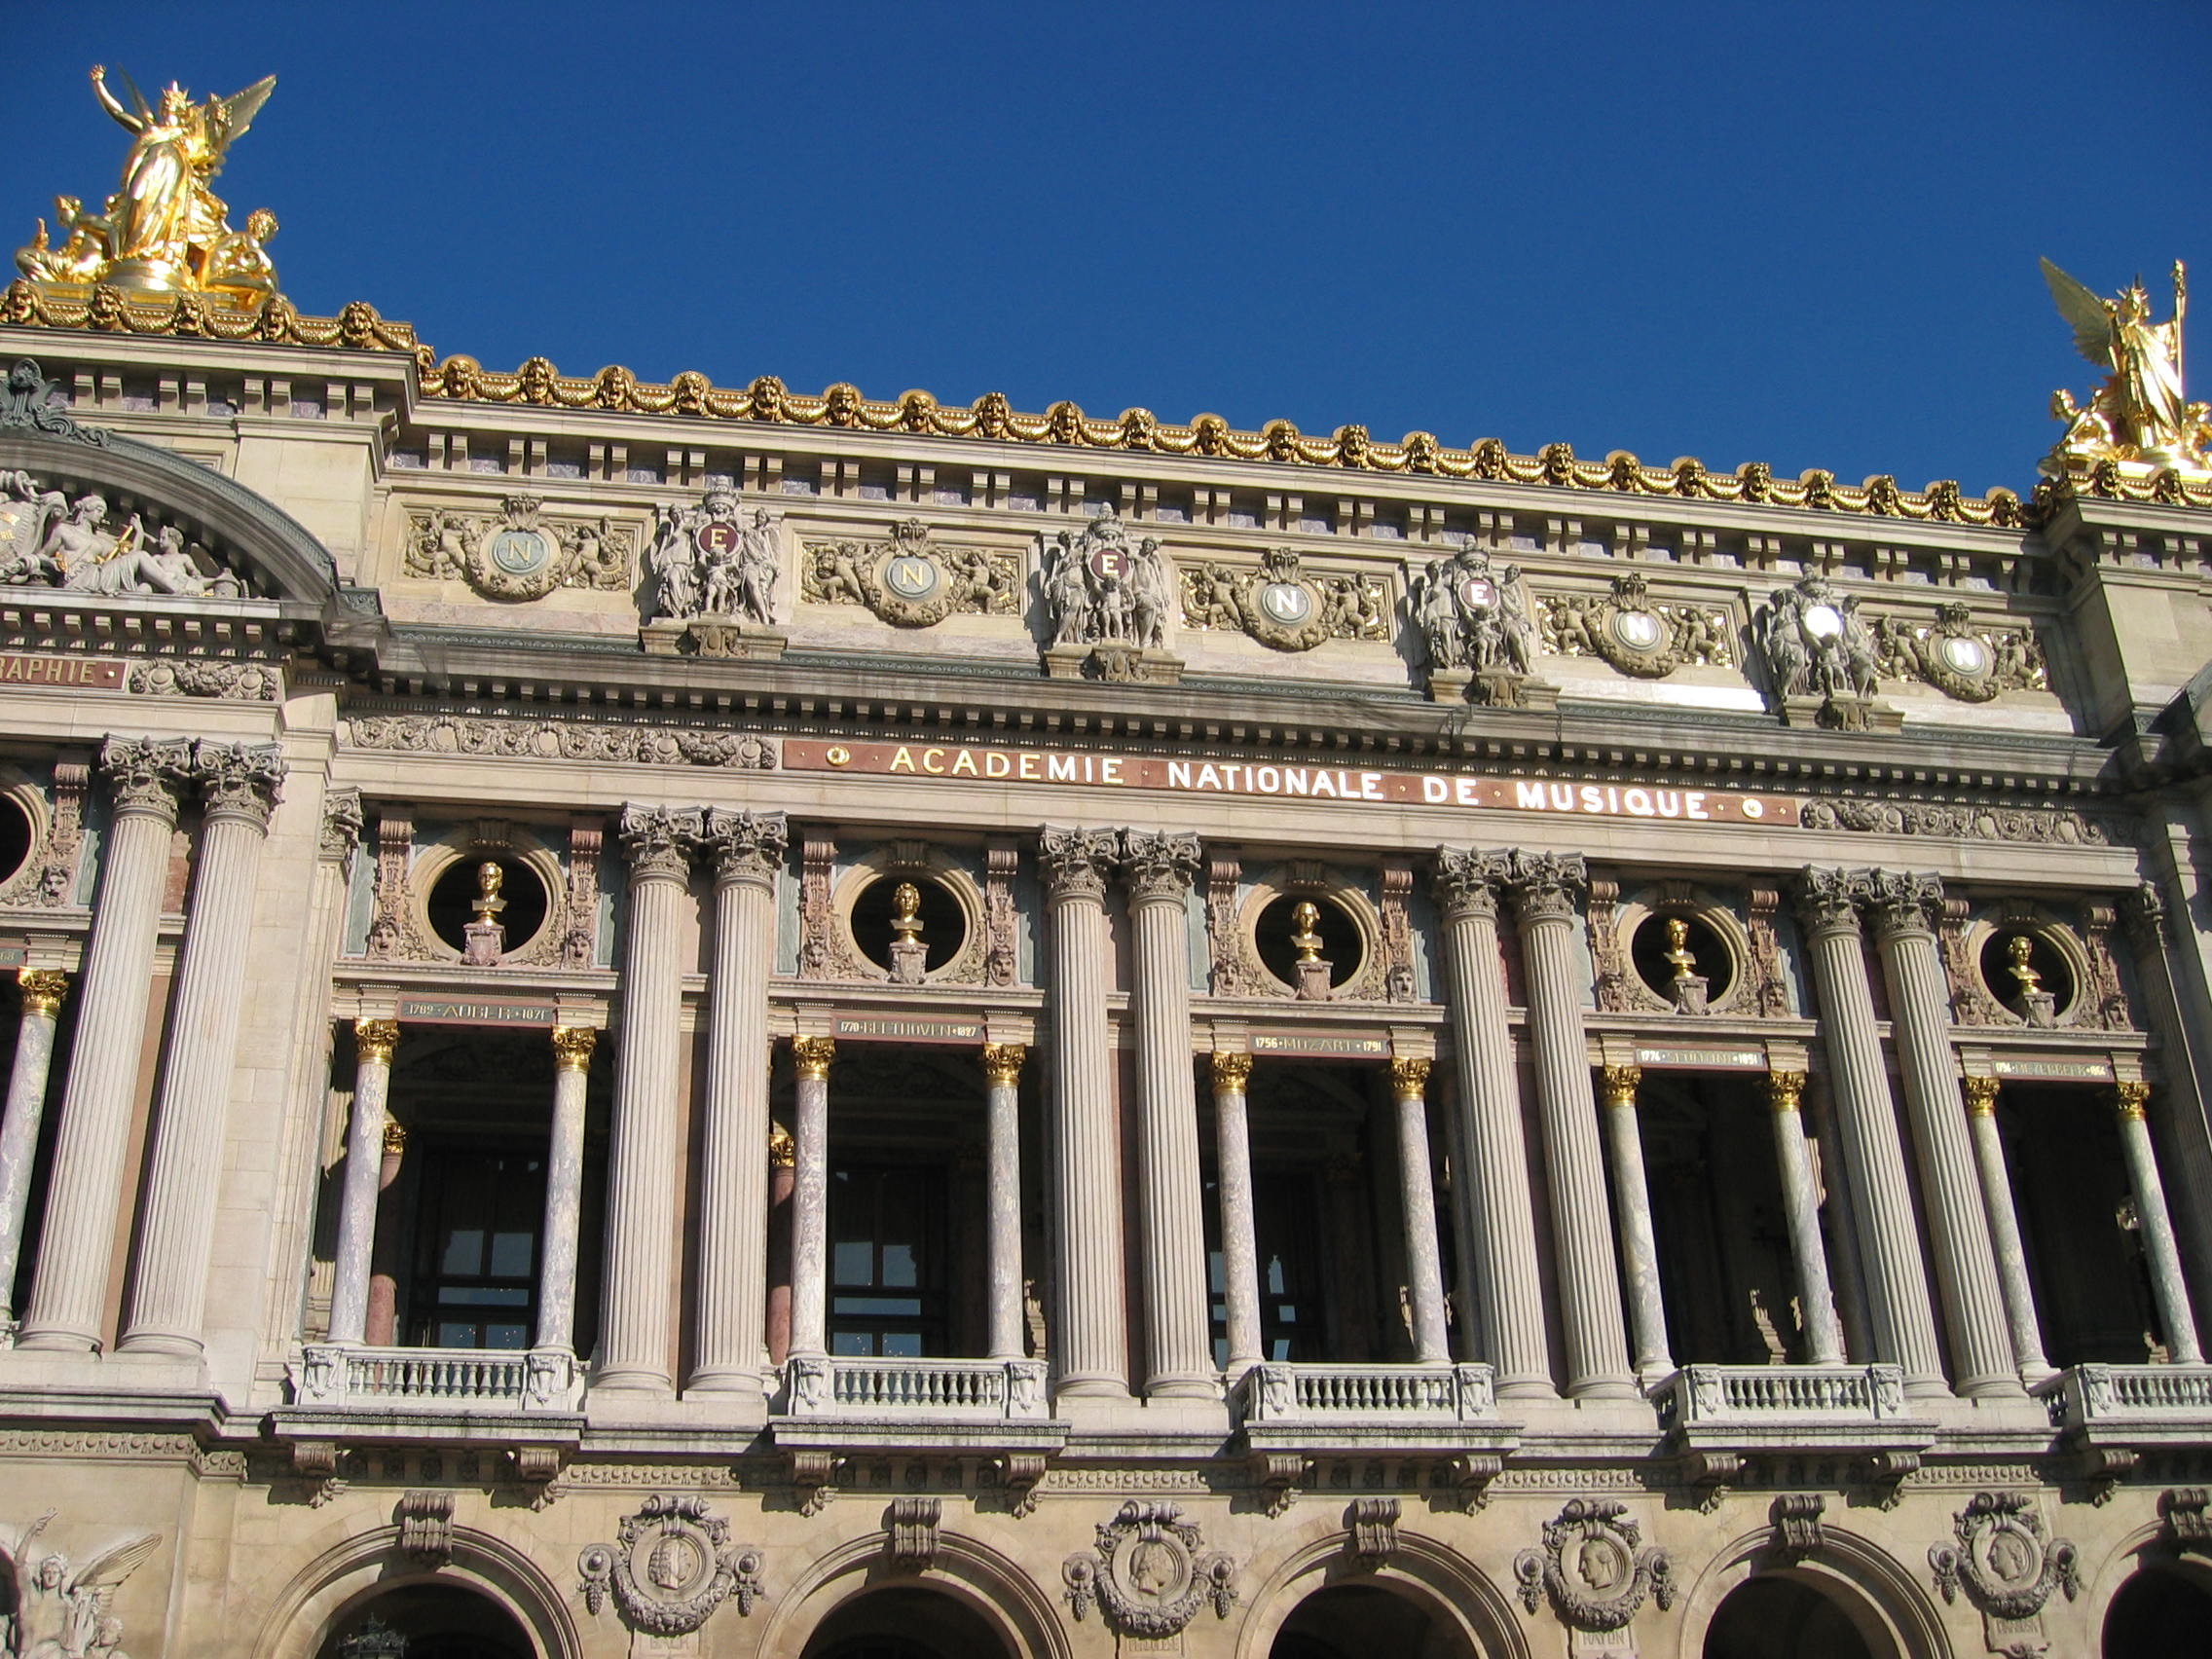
<point>1545,886</point>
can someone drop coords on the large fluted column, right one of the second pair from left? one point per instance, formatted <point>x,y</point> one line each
<point>731,1350</point>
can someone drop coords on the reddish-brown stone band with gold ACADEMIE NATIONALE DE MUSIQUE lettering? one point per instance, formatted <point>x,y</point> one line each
<point>1273,780</point>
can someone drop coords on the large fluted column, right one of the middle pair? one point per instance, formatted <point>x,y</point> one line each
<point>1158,868</point>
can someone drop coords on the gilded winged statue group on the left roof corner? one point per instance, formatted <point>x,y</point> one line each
<point>165,231</point>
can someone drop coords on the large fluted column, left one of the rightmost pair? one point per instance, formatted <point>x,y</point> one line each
<point>1868,1127</point>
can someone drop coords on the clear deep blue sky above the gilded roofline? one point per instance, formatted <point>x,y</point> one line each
<point>1791,233</point>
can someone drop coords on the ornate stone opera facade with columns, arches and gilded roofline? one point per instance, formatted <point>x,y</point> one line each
<point>700,1021</point>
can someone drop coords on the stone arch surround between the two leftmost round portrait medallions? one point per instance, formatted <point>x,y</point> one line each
<point>988,1583</point>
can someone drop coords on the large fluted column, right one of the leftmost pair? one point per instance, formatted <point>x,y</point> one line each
<point>169,1293</point>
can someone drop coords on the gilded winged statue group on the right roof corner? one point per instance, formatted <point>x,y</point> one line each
<point>2140,415</point>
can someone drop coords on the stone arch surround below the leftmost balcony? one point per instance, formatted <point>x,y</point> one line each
<point>366,1565</point>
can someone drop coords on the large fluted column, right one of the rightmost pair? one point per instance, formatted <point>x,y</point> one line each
<point>1952,1193</point>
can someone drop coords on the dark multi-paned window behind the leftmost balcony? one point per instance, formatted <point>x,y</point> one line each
<point>477,1255</point>
